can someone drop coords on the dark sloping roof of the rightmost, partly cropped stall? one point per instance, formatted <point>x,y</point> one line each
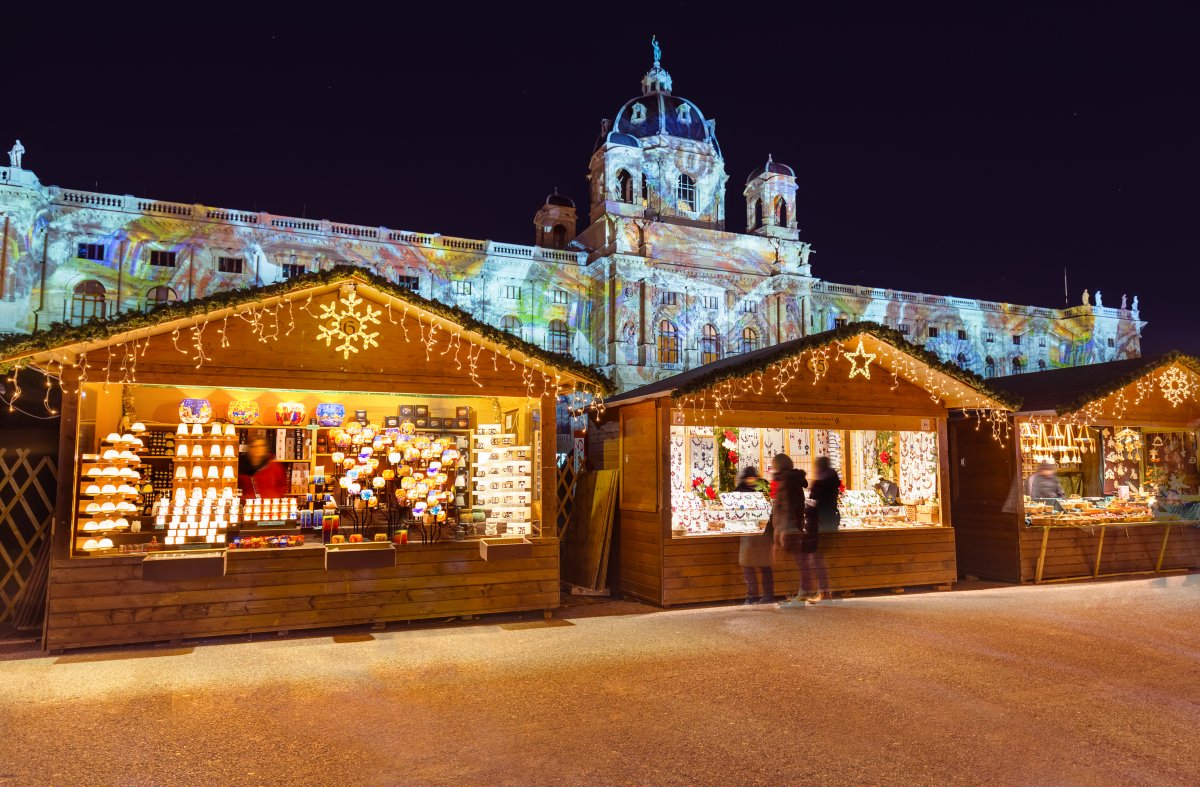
<point>1066,391</point>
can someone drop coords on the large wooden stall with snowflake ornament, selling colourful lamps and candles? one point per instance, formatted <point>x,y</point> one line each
<point>415,449</point>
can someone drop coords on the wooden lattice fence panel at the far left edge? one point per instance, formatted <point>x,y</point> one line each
<point>28,488</point>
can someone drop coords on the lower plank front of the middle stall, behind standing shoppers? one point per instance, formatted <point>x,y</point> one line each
<point>706,568</point>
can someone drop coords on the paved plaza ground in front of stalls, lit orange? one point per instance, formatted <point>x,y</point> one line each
<point>1079,684</point>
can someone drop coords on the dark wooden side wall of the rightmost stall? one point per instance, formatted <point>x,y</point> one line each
<point>986,503</point>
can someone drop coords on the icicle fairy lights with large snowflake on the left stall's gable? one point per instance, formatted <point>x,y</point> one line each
<point>347,321</point>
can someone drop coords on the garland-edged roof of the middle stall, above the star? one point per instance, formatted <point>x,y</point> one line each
<point>736,367</point>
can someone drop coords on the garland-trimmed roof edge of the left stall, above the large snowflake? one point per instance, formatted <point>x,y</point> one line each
<point>63,338</point>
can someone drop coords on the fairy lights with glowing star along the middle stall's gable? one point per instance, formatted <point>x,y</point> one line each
<point>717,402</point>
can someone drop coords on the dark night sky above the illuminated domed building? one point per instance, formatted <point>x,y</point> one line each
<point>975,153</point>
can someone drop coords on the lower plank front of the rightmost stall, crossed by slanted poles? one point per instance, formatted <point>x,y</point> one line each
<point>1072,554</point>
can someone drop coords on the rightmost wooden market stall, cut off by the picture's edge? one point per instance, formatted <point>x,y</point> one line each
<point>1123,440</point>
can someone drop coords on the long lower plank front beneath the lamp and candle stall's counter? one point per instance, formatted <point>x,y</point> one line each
<point>104,602</point>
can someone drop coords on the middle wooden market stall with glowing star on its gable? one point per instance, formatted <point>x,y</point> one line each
<point>862,395</point>
